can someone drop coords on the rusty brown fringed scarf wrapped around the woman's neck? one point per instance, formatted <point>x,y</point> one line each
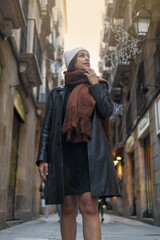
<point>79,108</point>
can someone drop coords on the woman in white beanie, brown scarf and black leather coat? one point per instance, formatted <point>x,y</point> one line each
<point>74,155</point>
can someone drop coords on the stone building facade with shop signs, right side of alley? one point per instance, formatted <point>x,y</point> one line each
<point>135,89</point>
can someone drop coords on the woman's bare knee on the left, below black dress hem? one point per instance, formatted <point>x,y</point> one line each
<point>70,206</point>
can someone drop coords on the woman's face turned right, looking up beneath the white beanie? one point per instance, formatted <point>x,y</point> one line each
<point>82,61</point>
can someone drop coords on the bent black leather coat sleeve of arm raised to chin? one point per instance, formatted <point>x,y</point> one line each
<point>103,100</point>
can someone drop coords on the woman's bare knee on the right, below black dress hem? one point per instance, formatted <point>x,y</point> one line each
<point>89,204</point>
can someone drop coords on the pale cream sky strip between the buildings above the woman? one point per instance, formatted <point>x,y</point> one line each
<point>84,22</point>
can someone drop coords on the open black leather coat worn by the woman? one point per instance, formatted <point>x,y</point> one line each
<point>102,172</point>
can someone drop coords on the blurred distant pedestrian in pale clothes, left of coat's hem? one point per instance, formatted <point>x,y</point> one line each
<point>45,208</point>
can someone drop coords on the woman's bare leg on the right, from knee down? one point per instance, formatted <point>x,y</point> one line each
<point>91,221</point>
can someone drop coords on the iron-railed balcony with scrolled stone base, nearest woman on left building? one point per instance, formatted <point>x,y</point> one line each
<point>30,57</point>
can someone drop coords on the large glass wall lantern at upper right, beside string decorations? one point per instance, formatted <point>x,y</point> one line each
<point>141,22</point>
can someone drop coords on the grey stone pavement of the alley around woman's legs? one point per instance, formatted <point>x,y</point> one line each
<point>113,228</point>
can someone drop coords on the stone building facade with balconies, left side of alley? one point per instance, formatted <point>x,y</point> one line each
<point>29,42</point>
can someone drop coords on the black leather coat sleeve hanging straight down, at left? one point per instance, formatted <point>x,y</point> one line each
<point>45,132</point>
